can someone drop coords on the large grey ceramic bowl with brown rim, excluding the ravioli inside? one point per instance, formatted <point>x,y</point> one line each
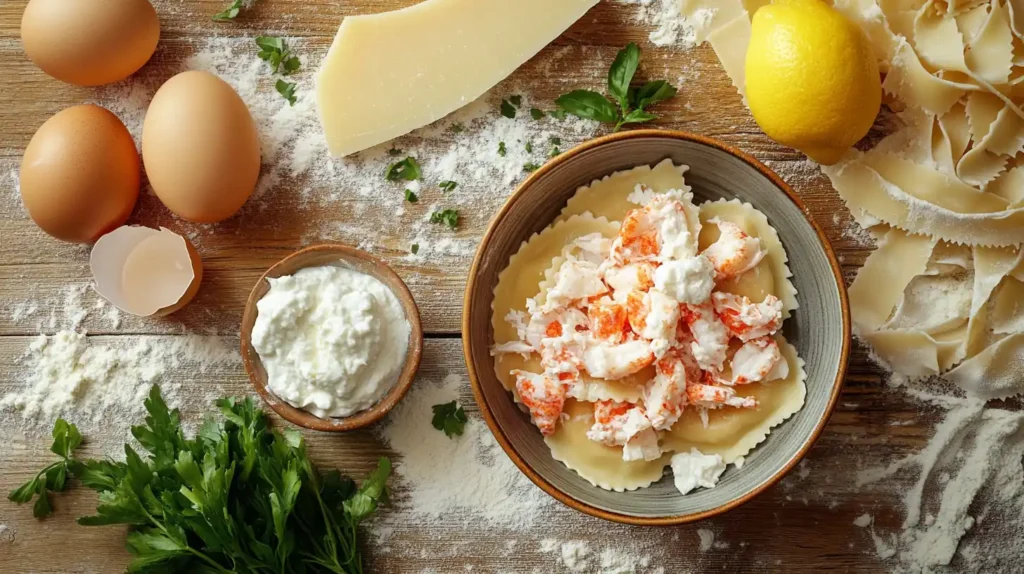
<point>820,329</point>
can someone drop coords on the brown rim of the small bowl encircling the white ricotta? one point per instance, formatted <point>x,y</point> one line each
<point>414,355</point>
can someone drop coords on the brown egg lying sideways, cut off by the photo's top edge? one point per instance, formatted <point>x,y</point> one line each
<point>90,42</point>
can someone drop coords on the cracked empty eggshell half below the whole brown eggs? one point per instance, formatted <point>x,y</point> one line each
<point>146,273</point>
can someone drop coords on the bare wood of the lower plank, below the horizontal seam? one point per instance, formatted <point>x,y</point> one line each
<point>773,529</point>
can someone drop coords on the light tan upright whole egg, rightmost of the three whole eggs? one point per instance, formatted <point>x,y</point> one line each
<point>200,148</point>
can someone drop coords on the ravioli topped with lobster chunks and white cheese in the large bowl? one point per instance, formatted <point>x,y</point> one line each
<point>656,335</point>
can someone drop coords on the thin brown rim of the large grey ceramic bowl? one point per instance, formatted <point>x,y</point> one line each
<point>500,436</point>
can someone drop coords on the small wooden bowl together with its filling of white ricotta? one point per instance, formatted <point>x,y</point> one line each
<point>331,338</point>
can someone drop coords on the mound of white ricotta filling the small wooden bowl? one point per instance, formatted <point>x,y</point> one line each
<point>333,341</point>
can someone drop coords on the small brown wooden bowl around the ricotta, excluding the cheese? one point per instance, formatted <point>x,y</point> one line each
<point>358,260</point>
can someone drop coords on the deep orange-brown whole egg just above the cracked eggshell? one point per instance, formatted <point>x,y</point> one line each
<point>80,175</point>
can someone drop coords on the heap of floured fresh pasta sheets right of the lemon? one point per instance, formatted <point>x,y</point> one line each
<point>945,196</point>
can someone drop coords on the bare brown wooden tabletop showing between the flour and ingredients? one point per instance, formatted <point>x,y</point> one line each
<point>804,524</point>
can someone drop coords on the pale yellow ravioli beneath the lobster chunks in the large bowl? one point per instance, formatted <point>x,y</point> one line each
<point>535,271</point>
